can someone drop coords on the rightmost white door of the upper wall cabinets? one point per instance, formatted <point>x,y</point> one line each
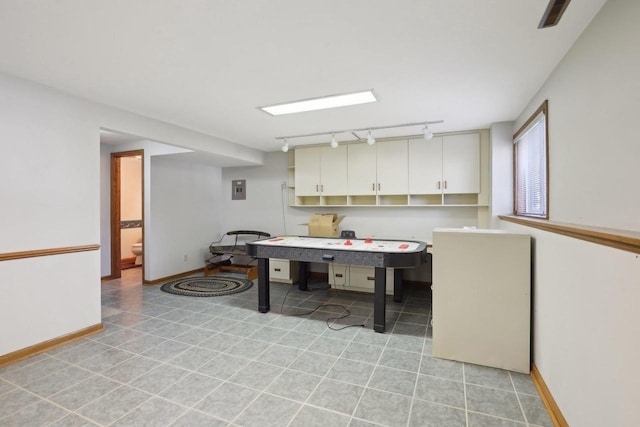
<point>461,163</point>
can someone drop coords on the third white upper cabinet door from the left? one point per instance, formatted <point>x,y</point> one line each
<point>361,160</point>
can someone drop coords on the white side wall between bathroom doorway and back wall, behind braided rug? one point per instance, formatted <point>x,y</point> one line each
<point>185,215</point>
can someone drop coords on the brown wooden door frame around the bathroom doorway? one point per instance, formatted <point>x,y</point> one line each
<point>116,253</point>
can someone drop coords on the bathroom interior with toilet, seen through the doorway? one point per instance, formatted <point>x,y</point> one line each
<point>131,249</point>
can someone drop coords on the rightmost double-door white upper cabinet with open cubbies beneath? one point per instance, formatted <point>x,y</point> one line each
<point>442,166</point>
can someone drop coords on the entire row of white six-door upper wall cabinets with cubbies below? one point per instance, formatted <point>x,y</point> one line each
<point>444,171</point>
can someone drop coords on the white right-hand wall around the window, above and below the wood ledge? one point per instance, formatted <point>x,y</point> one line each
<point>586,317</point>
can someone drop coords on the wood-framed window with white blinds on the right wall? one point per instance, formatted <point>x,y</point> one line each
<point>531,171</point>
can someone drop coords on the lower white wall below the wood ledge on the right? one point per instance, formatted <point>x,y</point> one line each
<point>585,328</point>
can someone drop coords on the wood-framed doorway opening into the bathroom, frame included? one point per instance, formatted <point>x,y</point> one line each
<point>127,221</point>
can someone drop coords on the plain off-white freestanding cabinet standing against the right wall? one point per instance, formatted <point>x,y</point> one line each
<point>482,297</point>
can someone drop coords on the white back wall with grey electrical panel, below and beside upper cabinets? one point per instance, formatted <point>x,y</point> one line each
<point>267,209</point>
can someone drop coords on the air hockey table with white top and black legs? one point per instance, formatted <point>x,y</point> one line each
<point>378,253</point>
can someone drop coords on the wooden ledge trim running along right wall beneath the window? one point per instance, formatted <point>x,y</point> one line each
<point>620,239</point>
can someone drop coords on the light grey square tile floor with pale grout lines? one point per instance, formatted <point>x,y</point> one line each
<point>167,360</point>
